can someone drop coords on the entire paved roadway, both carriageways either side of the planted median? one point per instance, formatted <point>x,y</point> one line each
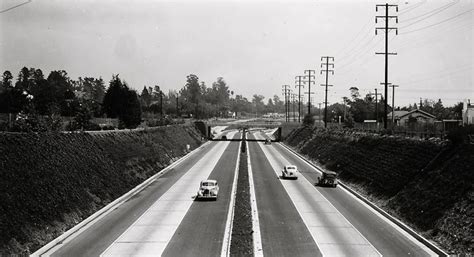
<point>296,218</point>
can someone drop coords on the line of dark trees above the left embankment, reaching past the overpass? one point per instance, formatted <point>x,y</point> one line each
<point>40,103</point>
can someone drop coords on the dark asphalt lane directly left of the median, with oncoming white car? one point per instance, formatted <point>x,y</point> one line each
<point>202,230</point>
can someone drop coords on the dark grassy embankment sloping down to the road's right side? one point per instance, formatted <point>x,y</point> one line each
<point>426,184</point>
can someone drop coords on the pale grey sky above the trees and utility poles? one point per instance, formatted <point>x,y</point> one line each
<point>256,46</point>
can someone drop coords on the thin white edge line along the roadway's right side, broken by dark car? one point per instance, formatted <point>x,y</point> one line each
<point>378,214</point>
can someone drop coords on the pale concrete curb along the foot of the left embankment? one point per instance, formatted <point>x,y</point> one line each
<point>89,221</point>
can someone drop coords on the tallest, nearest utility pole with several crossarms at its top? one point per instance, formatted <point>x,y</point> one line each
<point>386,53</point>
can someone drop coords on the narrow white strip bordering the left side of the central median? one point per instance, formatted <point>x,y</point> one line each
<point>225,251</point>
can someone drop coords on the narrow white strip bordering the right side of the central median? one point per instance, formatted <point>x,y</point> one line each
<point>257,238</point>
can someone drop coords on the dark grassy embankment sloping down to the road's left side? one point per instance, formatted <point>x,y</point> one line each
<point>51,182</point>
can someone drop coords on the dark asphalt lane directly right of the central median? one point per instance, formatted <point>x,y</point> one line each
<point>282,230</point>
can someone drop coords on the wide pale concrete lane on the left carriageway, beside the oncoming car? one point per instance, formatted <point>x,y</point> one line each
<point>151,232</point>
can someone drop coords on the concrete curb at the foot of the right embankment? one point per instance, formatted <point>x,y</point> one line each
<point>394,220</point>
